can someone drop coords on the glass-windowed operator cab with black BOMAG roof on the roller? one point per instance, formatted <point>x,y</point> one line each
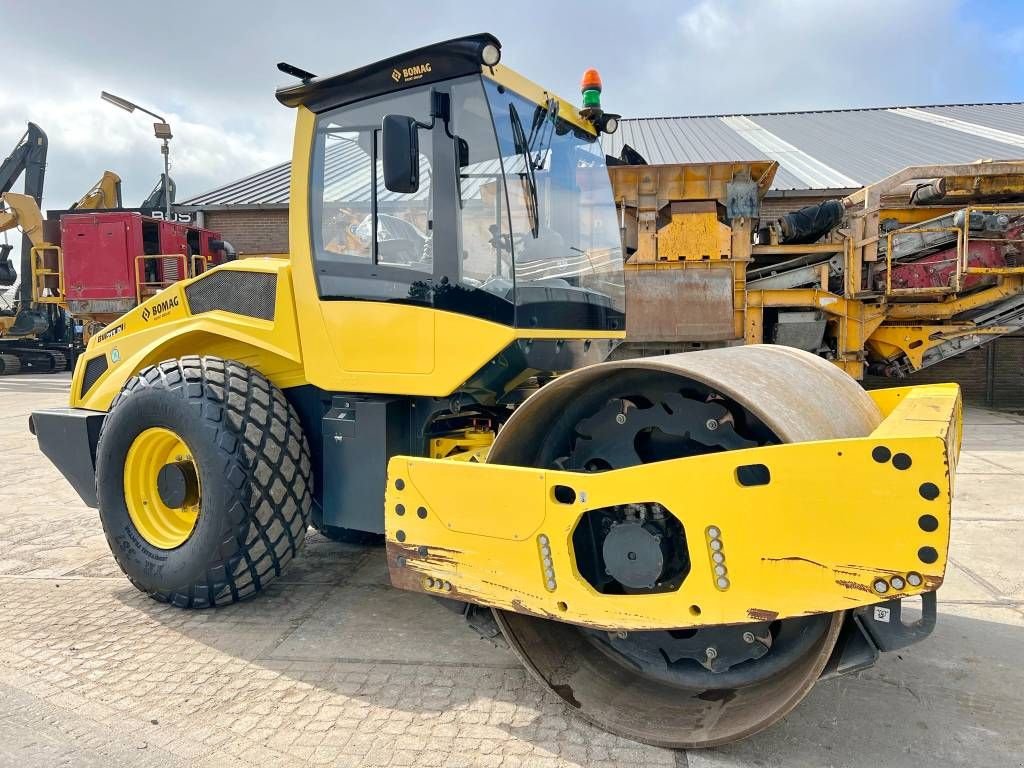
<point>440,181</point>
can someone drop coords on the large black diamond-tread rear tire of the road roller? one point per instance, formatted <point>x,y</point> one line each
<point>254,476</point>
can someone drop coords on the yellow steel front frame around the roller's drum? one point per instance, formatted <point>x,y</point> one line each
<point>480,533</point>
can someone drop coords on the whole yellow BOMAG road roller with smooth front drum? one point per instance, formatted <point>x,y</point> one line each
<point>678,547</point>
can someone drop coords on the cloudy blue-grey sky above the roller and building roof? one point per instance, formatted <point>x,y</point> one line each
<point>210,68</point>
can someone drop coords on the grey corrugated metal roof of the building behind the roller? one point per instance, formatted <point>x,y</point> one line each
<point>826,150</point>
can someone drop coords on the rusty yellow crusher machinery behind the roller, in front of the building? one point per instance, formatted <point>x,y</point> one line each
<point>900,276</point>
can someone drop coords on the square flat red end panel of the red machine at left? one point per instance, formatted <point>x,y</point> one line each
<point>100,251</point>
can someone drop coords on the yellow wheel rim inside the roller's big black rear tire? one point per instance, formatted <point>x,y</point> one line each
<point>162,489</point>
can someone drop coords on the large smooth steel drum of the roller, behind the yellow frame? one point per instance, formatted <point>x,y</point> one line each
<point>681,689</point>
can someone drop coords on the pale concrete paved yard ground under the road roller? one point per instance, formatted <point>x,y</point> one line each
<point>330,666</point>
